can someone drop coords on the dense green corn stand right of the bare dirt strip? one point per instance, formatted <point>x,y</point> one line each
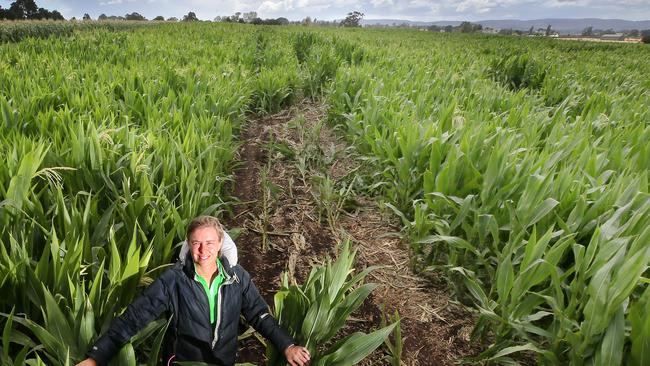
<point>528,190</point>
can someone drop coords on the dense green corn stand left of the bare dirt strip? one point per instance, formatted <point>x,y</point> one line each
<point>107,155</point>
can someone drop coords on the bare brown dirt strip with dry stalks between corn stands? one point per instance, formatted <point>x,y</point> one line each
<point>287,230</point>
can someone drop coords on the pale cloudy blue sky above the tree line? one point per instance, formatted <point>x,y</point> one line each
<point>417,10</point>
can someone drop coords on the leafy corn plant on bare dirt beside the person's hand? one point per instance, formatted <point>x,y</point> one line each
<point>315,312</point>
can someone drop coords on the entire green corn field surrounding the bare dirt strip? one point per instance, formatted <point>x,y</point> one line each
<point>518,167</point>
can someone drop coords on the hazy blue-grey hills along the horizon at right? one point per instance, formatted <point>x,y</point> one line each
<point>569,26</point>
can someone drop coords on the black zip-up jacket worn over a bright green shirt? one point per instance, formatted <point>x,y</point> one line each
<point>190,336</point>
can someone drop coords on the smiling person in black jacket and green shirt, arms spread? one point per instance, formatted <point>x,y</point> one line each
<point>204,296</point>
